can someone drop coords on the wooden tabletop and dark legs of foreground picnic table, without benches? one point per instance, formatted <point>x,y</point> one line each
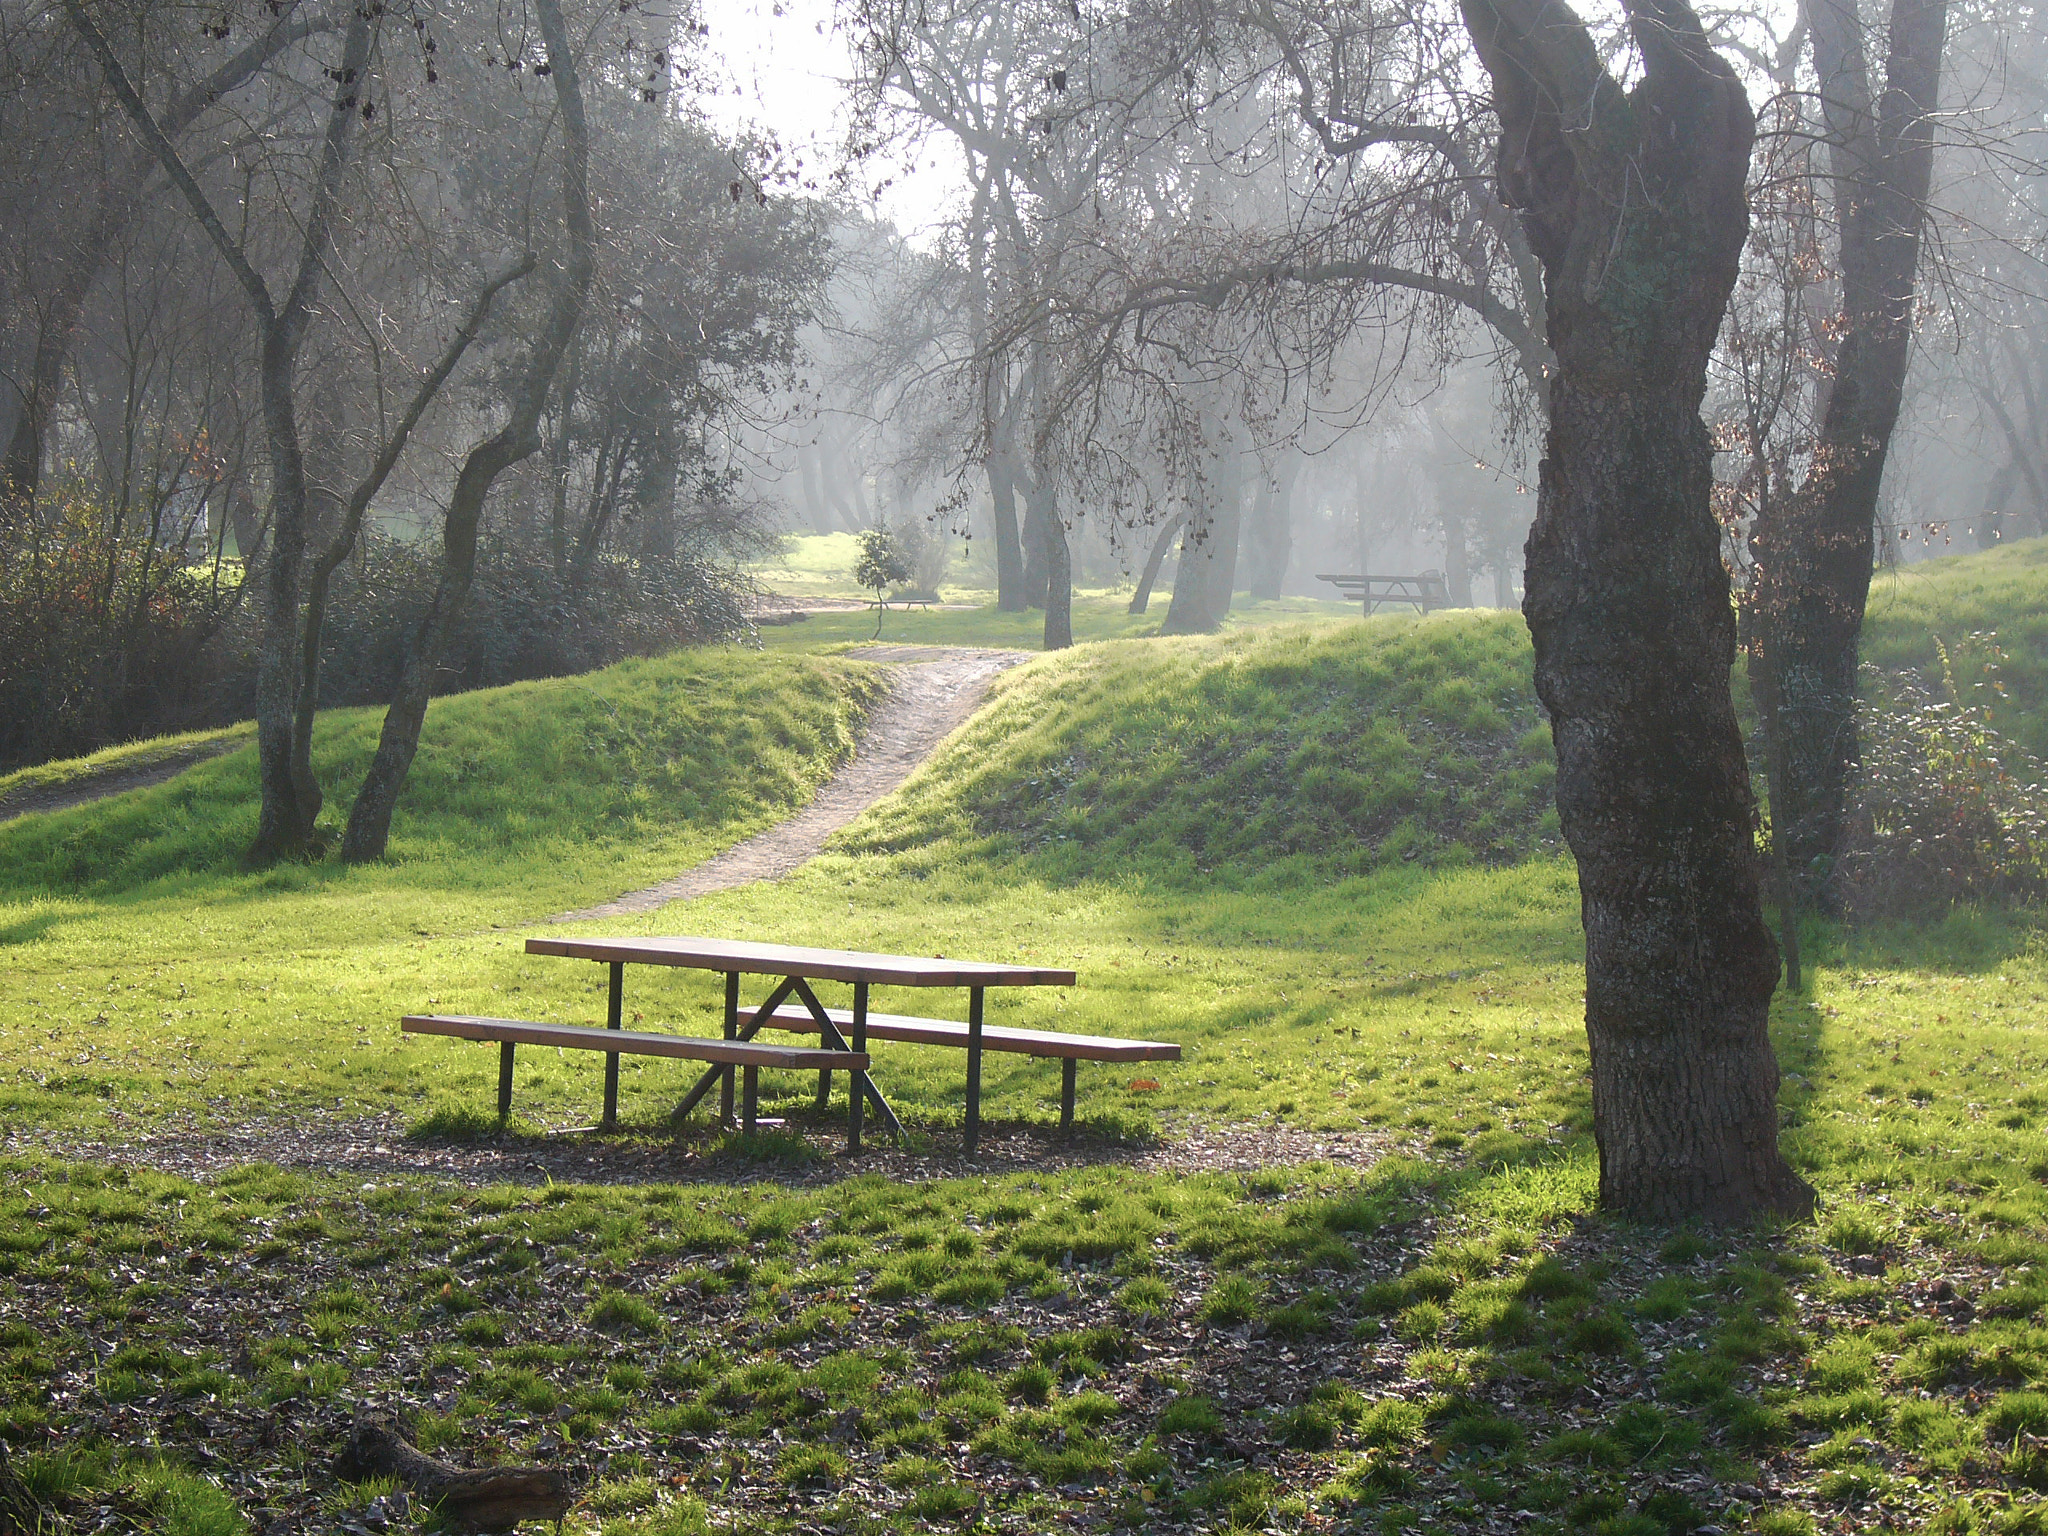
<point>798,968</point>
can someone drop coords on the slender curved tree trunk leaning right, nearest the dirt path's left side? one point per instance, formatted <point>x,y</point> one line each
<point>370,818</point>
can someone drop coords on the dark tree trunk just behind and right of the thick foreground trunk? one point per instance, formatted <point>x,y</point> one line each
<point>1816,550</point>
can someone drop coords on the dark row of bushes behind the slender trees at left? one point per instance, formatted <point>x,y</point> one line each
<point>112,638</point>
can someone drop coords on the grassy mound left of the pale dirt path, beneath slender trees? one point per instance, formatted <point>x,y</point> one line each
<point>540,781</point>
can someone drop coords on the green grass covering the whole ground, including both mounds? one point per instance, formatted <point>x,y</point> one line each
<point>753,1336</point>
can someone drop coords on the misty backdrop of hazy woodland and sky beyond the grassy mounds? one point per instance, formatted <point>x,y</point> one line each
<point>1170,300</point>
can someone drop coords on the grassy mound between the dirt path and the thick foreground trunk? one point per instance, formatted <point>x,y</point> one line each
<point>1256,755</point>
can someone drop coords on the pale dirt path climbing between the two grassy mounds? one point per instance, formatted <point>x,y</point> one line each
<point>933,691</point>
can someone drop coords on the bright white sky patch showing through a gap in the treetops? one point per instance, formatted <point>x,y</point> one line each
<point>783,65</point>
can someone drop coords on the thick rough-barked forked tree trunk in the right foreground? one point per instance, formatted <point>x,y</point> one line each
<point>1633,202</point>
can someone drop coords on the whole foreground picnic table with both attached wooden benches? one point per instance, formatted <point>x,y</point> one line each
<point>794,1007</point>
